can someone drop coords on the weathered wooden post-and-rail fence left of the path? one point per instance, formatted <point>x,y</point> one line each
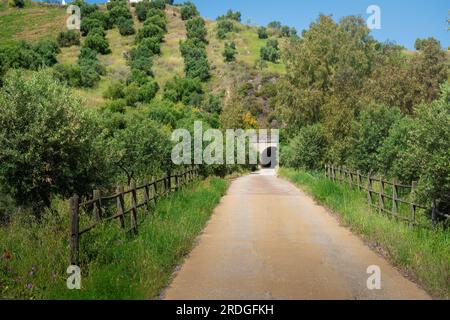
<point>114,207</point>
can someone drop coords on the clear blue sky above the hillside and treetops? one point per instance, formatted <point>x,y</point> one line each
<point>402,21</point>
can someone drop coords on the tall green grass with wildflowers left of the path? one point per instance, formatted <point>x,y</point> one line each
<point>114,266</point>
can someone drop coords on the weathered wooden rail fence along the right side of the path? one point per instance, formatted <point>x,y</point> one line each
<point>388,196</point>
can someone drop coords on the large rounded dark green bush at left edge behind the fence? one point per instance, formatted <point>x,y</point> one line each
<point>55,135</point>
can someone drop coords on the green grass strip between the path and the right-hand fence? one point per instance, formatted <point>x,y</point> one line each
<point>422,253</point>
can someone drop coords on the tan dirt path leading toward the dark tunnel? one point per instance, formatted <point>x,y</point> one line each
<point>268,240</point>
